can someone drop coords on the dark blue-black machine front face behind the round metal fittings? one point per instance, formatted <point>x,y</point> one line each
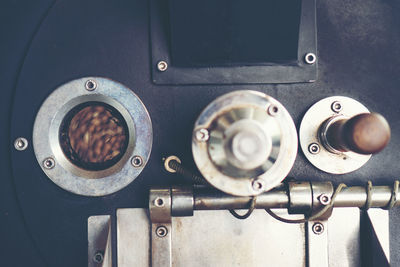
<point>45,43</point>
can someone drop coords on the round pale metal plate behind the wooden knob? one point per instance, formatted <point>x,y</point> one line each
<point>315,152</point>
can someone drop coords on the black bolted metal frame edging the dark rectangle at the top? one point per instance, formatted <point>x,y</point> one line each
<point>294,72</point>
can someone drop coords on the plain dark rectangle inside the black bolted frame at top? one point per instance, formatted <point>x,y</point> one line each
<point>233,32</point>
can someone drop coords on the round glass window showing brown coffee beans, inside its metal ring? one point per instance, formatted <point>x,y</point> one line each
<point>94,136</point>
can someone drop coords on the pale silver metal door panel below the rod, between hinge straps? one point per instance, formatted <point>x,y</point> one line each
<point>216,238</point>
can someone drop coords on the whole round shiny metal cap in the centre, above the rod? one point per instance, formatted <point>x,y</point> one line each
<point>246,143</point>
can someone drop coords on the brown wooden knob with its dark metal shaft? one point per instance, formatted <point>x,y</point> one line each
<point>366,133</point>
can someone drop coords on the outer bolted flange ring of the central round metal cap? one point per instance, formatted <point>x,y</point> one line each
<point>280,168</point>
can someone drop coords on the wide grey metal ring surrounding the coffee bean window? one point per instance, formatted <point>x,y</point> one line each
<point>46,136</point>
